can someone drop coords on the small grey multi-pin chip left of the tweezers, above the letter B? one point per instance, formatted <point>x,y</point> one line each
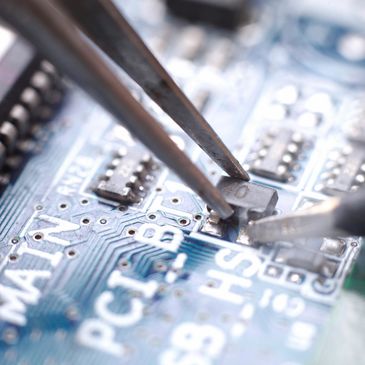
<point>124,181</point>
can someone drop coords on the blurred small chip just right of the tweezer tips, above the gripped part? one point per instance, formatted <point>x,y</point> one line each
<point>276,155</point>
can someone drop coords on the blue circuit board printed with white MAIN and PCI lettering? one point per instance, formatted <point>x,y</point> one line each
<point>87,280</point>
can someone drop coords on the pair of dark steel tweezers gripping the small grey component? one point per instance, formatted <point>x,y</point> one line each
<point>58,29</point>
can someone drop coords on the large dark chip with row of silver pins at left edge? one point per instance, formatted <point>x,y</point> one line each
<point>30,91</point>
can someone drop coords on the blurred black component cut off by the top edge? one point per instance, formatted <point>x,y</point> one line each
<point>226,13</point>
